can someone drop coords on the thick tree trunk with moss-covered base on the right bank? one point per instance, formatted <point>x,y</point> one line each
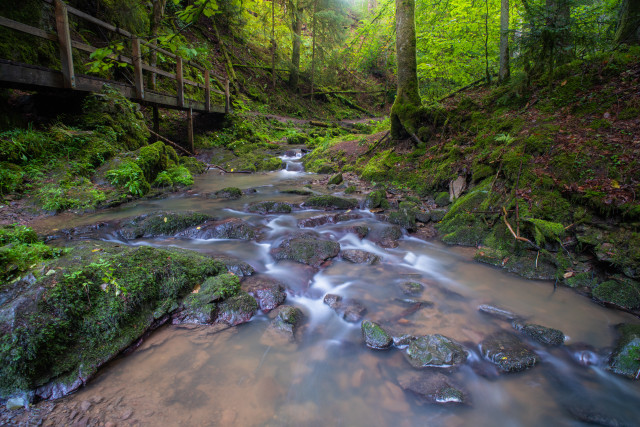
<point>406,107</point>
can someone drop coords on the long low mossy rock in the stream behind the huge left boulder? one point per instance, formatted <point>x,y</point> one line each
<point>159,224</point>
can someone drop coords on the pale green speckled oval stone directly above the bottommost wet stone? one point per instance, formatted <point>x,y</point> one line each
<point>435,350</point>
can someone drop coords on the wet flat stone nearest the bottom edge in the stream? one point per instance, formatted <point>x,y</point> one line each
<point>434,387</point>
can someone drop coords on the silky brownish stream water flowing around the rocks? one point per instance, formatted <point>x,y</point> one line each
<point>200,375</point>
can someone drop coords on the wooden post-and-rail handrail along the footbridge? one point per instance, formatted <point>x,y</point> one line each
<point>65,44</point>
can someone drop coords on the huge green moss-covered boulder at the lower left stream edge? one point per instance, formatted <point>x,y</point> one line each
<point>98,299</point>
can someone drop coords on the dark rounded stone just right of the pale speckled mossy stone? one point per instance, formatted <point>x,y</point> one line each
<point>508,352</point>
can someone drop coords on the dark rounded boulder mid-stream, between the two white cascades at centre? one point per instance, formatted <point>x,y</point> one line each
<point>306,249</point>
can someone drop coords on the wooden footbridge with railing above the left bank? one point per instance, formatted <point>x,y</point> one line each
<point>188,94</point>
